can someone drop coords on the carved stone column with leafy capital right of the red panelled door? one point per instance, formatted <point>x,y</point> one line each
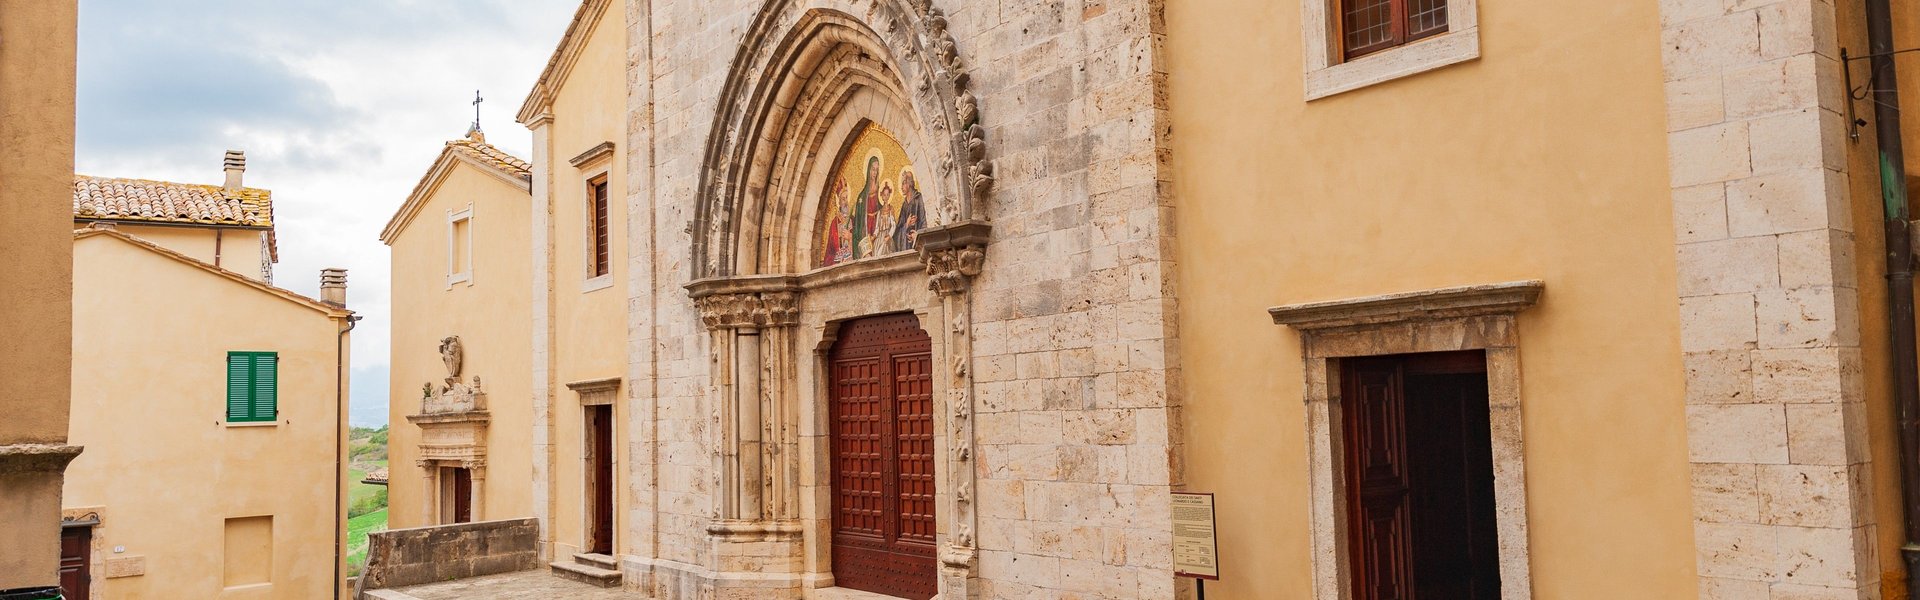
<point>955,257</point>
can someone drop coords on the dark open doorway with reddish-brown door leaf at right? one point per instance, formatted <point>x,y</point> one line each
<point>1420,478</point>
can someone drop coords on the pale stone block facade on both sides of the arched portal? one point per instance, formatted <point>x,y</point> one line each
<point>1074,334</point>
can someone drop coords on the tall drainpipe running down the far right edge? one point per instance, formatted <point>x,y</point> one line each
<point>1900,274</point>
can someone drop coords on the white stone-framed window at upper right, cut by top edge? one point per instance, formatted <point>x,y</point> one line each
<point>1358,43</point>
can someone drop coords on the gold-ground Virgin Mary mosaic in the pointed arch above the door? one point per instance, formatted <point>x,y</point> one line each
<point>875,203</point>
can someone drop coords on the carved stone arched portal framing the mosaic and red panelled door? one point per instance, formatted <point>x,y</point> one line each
<point>842,182</point>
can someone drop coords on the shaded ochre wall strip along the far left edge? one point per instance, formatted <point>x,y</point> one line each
<point>37,61</point>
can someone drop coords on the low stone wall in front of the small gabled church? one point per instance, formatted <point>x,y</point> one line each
<point>443,553</point>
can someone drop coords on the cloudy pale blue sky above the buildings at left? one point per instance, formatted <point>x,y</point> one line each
<point>339,105</point>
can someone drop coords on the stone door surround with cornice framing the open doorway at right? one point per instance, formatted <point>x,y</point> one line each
<point>1447,320</point>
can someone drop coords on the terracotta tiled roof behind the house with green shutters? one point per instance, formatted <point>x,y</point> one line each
<point>110,199</point>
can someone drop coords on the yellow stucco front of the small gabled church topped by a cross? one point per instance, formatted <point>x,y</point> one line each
<point>491,314</point>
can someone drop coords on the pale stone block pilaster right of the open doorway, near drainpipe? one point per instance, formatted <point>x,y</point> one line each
<point>1777,416</point>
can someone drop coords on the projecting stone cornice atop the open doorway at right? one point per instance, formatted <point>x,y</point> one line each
<point>1454,303</point>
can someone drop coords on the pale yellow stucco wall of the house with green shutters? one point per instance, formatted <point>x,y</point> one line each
<point>149,403</point>
